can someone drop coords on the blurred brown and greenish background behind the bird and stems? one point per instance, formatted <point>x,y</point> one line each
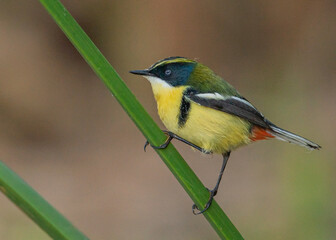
<point>65,134</point>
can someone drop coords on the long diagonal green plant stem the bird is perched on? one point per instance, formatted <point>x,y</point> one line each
<point>183,173</point>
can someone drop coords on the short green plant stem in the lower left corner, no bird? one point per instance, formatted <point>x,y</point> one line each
<point>38,209</point>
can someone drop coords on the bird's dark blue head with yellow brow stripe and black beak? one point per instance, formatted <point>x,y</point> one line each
<point>174,71</point>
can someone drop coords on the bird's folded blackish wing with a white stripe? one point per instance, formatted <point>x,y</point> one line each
<point>230,104</point>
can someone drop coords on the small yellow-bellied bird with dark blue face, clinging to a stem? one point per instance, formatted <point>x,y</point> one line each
<point>201,109</point>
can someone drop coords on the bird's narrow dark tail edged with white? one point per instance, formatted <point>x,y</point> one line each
<point>287,136</point>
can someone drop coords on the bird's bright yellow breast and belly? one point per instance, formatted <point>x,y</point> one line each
<point>207,128</point>
